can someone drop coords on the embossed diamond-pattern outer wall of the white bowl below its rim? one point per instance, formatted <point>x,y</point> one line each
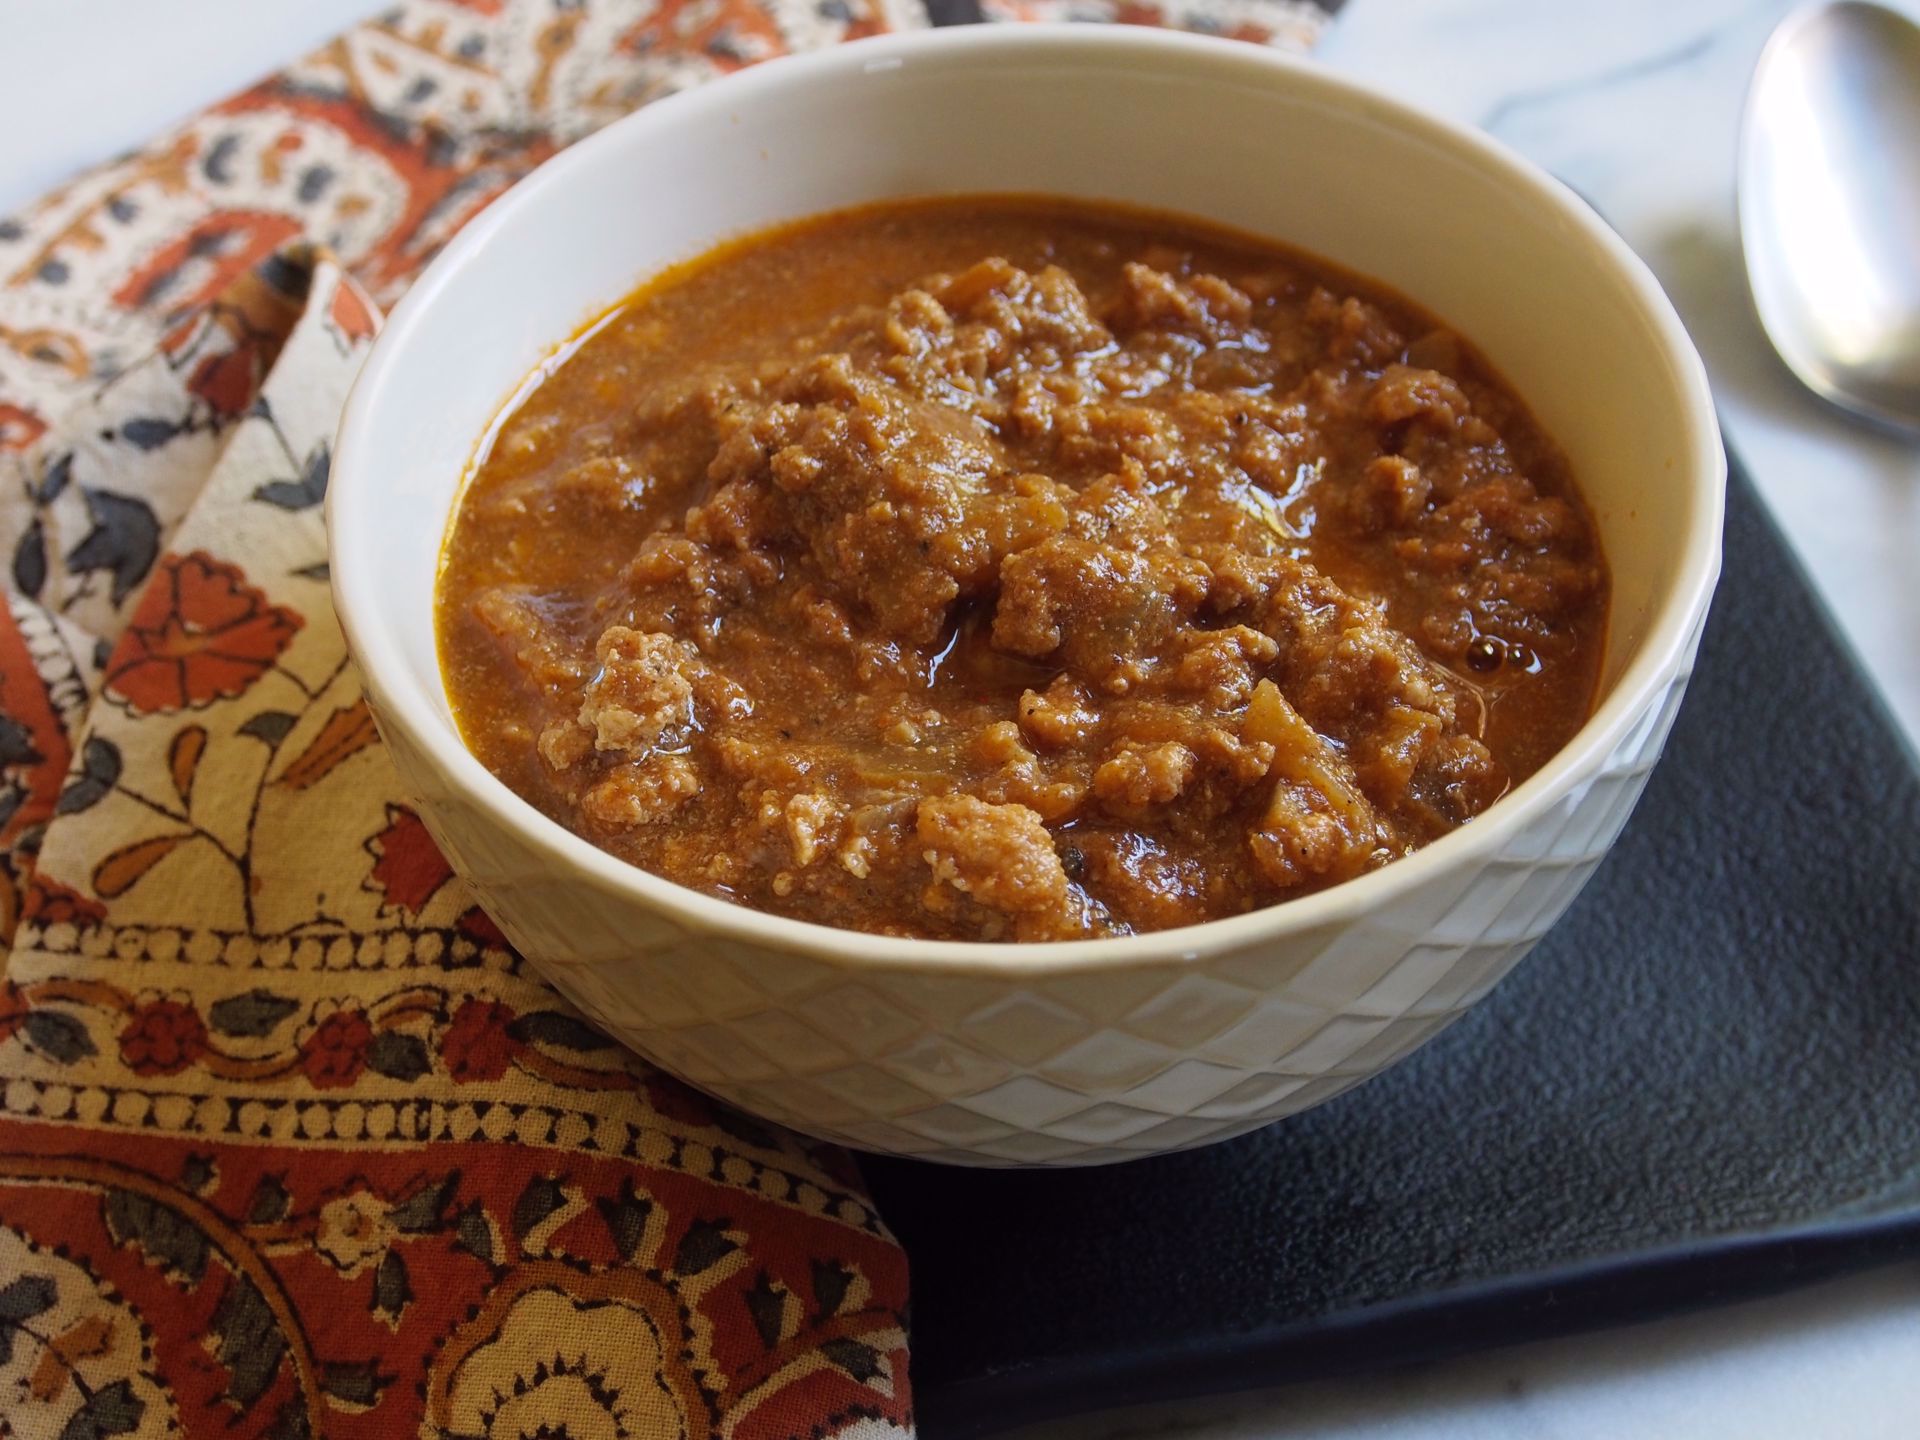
<point>1042,1070</point>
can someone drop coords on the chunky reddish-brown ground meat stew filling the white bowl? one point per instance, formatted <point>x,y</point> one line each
<point>1013,569</point>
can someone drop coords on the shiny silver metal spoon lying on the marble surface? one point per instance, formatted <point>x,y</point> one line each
<point>1831,204</point>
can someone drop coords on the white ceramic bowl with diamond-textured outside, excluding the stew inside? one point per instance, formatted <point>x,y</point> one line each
<point>1086,1051</point>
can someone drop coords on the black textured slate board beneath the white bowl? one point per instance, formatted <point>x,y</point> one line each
<point>1704,1084</point>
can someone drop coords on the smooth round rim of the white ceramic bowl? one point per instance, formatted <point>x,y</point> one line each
<point>1671,631</point>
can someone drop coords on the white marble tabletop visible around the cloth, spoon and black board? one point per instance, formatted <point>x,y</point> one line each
<point>1635,103</point>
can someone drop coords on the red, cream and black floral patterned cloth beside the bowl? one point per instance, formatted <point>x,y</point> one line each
<point>291,1141</point>
